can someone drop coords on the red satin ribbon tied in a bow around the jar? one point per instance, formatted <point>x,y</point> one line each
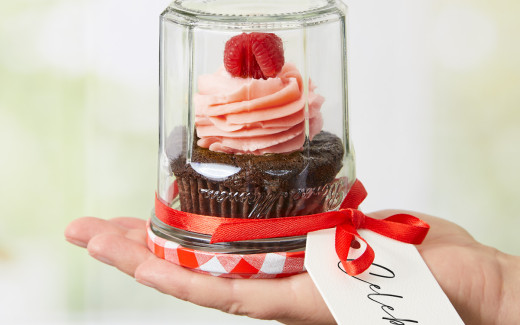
<point>402,227</point>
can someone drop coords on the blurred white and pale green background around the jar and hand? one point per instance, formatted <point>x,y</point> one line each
<point>434,89</point>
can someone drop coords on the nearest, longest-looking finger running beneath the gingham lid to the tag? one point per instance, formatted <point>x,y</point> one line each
<point>264,299</point>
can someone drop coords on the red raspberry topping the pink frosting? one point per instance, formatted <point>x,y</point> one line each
<point>256,55</point>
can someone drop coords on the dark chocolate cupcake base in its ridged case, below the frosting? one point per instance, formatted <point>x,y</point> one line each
<point>261,186</point>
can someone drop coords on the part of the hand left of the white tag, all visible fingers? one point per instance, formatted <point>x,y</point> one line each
<point>121,242</point>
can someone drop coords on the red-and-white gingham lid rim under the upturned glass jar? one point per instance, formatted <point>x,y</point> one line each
<point>246,266</point>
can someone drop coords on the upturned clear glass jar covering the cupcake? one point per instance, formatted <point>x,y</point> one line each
<point>244,147</point>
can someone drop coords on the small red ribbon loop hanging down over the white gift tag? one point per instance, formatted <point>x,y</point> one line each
<point>345,234</point>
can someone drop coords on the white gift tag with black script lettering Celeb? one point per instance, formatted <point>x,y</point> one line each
<point>397,289</point>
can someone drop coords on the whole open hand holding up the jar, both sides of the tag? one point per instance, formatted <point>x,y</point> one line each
<point>480,281</point>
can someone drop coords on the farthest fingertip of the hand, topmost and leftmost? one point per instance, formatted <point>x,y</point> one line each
<point>81,230</point>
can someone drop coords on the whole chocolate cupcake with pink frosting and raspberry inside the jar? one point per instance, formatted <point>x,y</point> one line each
<point>259,149</point>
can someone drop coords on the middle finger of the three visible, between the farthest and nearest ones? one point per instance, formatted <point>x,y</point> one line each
<point>125,252</point>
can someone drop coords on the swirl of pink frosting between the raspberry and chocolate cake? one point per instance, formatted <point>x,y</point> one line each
<point>255,116</point>
